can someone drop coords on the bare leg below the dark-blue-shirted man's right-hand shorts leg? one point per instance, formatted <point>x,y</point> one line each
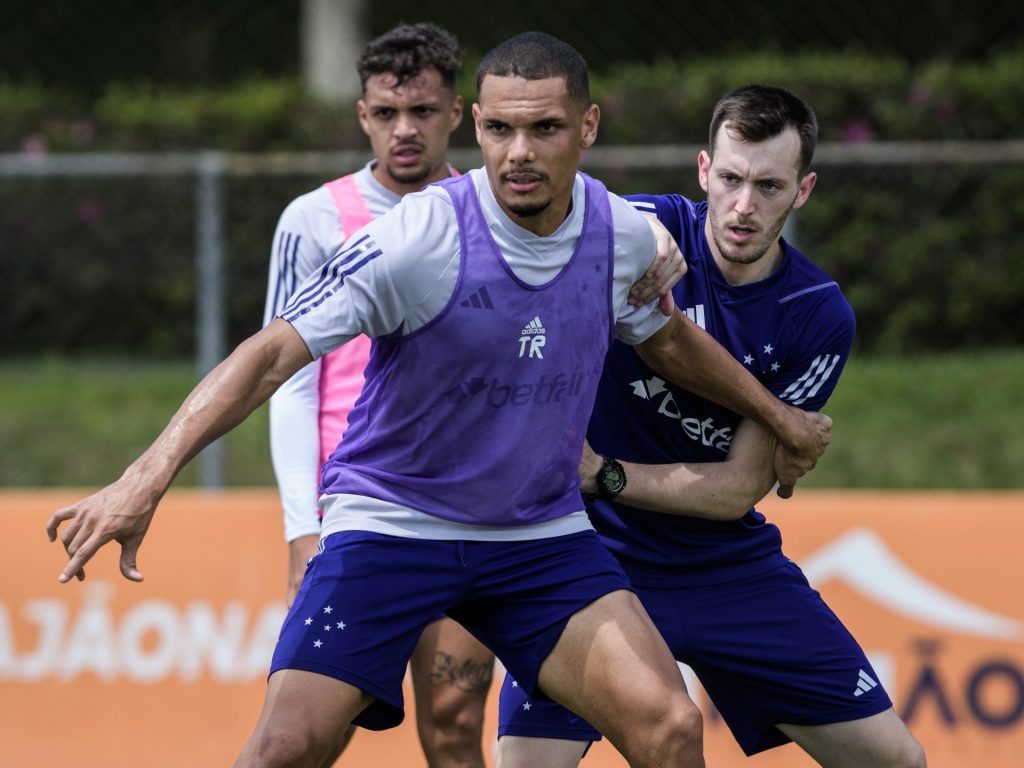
<point>882,741</point>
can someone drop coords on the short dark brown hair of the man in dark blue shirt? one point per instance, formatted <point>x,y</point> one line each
<point>758,113</point>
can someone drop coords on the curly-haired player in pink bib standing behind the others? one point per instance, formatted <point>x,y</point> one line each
<point>409,111</point>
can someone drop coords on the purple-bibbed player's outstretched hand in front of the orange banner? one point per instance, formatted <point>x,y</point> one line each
<point>120,513</point>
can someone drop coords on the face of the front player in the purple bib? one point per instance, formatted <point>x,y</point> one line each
<point>532,136</point>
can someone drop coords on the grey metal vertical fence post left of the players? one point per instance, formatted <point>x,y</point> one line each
<point>210,323</point>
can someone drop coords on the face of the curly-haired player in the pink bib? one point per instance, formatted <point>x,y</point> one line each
<point>409,129</point>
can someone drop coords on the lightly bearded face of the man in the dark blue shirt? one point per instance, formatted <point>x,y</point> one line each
<point>752,188</point>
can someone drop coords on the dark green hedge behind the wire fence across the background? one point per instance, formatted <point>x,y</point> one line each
<point>929,255</point>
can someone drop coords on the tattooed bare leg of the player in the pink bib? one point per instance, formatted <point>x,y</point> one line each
<point>452,673</point>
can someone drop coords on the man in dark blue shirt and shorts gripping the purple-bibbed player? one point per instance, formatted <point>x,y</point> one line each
<point>673,478</point>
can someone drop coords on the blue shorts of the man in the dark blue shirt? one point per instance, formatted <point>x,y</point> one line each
<point>767,651</point>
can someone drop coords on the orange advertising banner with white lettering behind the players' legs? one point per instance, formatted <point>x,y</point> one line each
<point>172,672</point>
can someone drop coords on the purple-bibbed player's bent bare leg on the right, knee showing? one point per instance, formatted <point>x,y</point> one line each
<point>612,667</point>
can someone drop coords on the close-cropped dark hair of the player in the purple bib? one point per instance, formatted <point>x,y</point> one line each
<point>538,56</point>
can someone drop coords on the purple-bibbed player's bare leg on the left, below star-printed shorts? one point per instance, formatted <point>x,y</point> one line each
<point>304,714</point>
